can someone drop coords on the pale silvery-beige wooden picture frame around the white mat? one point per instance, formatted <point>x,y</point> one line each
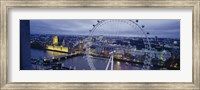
<point>4,43</point>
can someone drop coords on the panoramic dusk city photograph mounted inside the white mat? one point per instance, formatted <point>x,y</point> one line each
<point>42,47</point>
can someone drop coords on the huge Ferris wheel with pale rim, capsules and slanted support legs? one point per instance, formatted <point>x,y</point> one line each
<point>118,28</point>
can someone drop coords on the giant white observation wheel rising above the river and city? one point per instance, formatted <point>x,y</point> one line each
<point>100,34</point>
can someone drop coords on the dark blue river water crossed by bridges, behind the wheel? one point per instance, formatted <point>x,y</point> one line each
<point>80,62</point>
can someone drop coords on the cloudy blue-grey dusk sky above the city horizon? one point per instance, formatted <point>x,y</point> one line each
<point>162,28</point>
